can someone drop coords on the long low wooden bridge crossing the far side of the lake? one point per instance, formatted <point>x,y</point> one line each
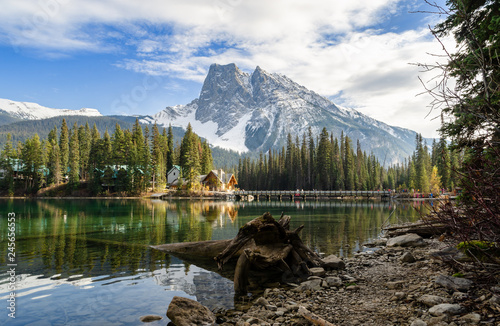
<point>312,194</point>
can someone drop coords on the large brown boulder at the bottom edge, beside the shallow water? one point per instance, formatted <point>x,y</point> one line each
<point>187,312</point>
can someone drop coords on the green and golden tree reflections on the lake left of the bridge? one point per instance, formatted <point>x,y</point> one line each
<point>96,237</point>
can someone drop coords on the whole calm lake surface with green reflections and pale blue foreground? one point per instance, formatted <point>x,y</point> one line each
<point>88,262</point>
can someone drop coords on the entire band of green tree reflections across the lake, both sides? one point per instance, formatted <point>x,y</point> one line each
<point>103,237</point>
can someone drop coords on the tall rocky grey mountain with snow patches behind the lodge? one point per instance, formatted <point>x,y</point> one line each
<point>255,112</point>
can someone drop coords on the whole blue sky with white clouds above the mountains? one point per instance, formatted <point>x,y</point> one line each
<point>137,57</point>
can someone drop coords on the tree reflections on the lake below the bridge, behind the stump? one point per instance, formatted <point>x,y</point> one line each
<point>338,227</point>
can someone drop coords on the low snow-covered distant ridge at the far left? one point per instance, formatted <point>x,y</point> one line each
<point>34,111</point>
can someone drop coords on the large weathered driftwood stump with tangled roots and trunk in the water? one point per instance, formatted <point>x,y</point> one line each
<point>262,244</point>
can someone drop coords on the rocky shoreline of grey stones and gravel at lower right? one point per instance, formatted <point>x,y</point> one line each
<point>403,281</point>
